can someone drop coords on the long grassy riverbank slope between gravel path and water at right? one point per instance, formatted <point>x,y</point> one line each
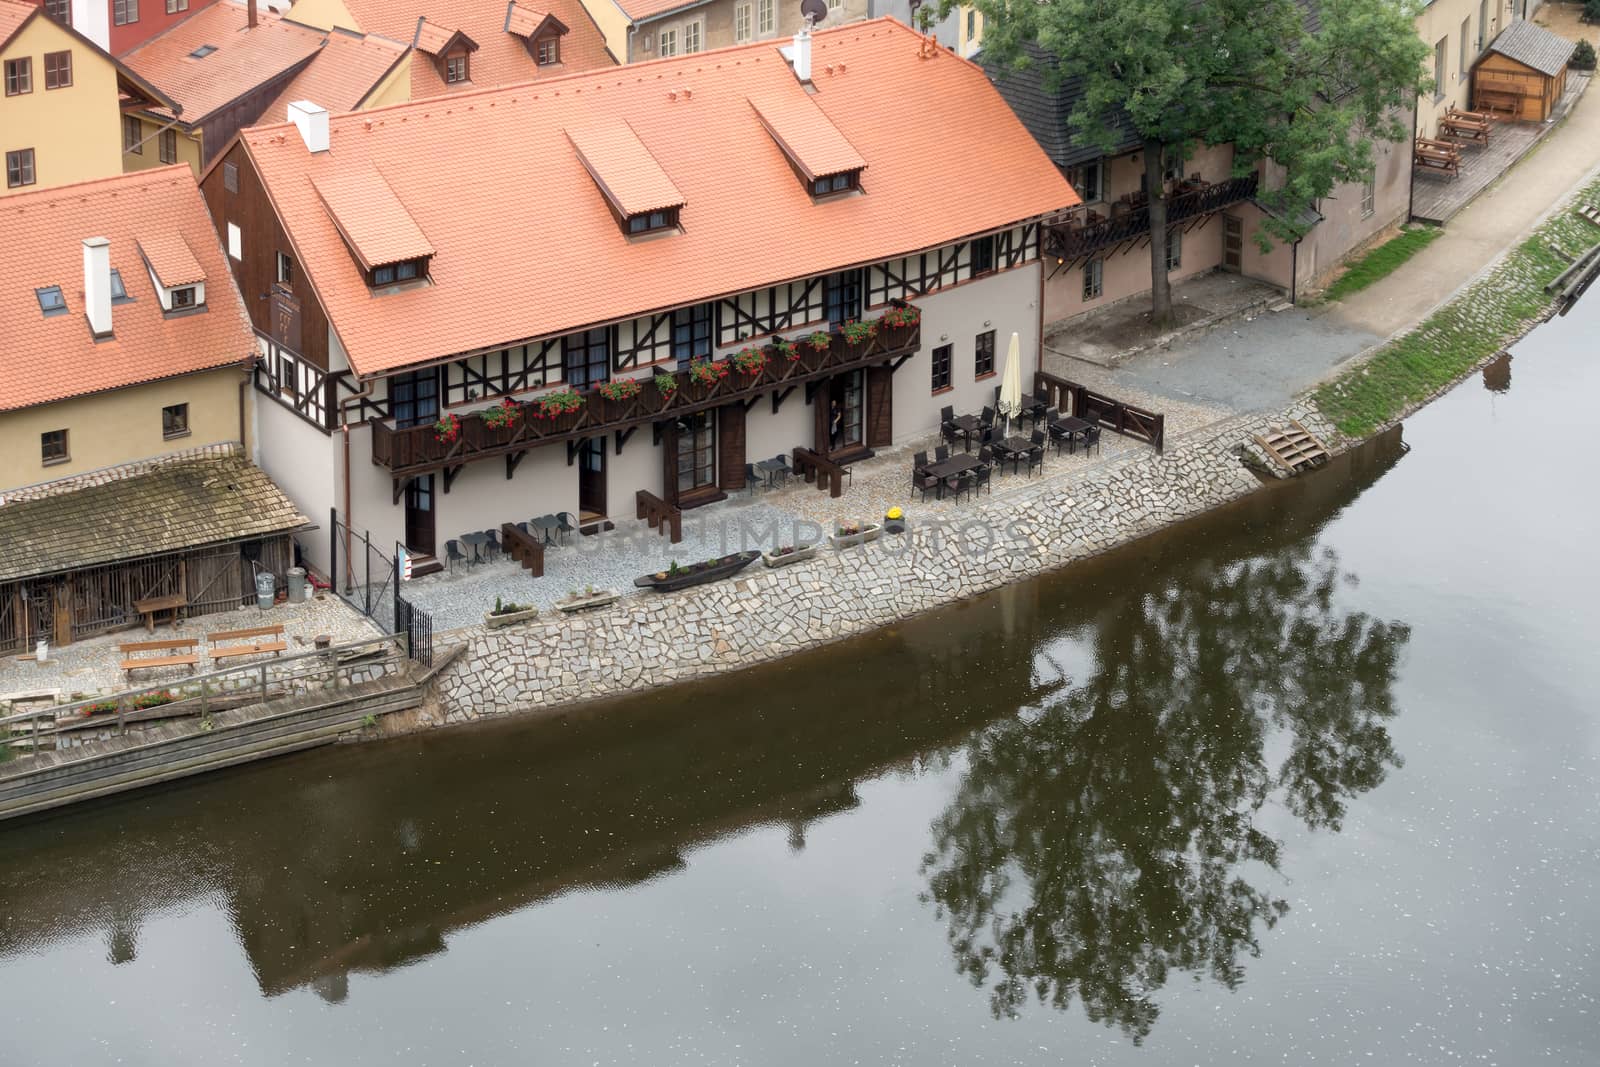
<point>1458,337</point>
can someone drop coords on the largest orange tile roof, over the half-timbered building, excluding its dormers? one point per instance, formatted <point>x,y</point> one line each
<point>527,246</point>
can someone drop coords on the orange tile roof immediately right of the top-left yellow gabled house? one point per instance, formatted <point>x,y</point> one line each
<point>242,60</point>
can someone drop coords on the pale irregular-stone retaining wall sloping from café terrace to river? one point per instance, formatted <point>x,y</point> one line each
<point>766,615</point>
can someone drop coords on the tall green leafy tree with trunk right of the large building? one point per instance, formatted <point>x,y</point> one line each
<point>1305,84</point>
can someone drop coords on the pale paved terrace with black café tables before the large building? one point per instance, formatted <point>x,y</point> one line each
<point>794,514</point>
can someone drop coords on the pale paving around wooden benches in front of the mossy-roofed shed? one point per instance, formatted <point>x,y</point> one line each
<point>89,668</point>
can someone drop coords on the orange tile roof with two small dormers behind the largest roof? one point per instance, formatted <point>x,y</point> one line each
<point>502,57</point>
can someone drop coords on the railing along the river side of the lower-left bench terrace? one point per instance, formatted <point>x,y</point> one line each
<point>337,666</point>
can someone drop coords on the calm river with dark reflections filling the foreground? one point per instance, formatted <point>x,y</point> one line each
<point>1311,781</point>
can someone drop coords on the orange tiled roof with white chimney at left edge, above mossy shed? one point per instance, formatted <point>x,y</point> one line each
<point>52,359</point>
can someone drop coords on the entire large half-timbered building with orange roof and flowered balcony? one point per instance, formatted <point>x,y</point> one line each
<point>666,276</point>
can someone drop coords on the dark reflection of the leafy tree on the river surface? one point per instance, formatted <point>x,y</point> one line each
<point>1110,842</point>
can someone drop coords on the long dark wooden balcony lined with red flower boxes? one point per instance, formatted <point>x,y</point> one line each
<point>418,450</point>
